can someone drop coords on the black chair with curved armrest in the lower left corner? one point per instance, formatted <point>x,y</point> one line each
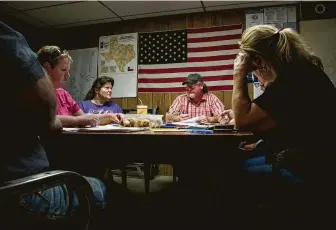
<point>13,216</point>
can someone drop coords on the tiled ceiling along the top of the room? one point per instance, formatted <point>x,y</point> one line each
<point>61,14</point>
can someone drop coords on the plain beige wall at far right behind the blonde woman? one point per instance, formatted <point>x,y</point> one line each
<point>321,35</point>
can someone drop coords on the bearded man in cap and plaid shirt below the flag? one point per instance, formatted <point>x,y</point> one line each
<point>198,103</point>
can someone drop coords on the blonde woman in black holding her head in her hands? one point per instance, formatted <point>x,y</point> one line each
<point>296,110</point>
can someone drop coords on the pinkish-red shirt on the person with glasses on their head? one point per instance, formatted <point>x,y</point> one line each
<point>65,104</point>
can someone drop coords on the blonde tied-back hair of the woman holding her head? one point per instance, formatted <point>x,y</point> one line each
<point>280,47</point>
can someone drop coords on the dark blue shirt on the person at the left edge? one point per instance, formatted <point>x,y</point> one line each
<point>21,151</point>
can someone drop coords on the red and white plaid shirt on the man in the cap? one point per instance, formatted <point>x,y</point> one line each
<point>209,106</point>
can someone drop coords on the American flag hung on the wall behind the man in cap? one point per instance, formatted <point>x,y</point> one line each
<point>167,58</point>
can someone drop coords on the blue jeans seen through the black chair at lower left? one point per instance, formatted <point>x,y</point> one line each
<point>55,201</point>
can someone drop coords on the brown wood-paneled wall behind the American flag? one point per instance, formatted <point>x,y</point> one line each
<point>88,36</point>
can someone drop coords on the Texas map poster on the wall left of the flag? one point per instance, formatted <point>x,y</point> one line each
<point>118,59</point>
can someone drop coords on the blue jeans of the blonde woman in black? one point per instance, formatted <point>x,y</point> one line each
<point>258,165</point>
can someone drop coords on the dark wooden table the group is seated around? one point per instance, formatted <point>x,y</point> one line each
<point>85,151</point>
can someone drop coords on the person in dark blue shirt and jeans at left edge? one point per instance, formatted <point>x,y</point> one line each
<point>28,113</point>
